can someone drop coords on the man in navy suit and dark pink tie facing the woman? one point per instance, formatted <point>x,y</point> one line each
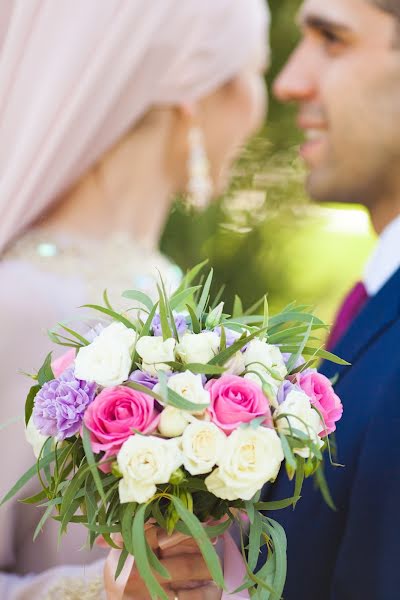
<point>345,77</point>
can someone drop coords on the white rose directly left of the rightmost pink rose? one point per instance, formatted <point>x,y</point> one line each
<point>301,416</point>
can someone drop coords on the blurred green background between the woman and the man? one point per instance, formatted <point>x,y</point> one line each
<point>265,236</point>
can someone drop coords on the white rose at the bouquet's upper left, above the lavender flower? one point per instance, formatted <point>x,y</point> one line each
<point>108,359</point>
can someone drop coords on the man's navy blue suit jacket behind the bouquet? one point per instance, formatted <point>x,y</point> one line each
<point>354,553</point>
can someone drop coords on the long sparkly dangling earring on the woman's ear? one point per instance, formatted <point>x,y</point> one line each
<point>199,188</point>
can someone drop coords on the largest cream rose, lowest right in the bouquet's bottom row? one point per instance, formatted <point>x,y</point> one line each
<point>251,457</point>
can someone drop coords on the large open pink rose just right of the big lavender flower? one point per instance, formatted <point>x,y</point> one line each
<point>113,416</point>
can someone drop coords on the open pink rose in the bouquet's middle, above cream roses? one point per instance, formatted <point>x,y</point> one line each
<point>235,400</point>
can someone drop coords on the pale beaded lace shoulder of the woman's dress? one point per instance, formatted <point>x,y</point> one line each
<point>117,263</point>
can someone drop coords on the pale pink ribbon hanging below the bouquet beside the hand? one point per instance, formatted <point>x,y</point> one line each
<point>234,572</point>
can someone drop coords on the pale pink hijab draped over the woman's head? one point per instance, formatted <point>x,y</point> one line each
<point>76,74</point>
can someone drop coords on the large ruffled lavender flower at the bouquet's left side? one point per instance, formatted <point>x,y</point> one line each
<point>60,405</point>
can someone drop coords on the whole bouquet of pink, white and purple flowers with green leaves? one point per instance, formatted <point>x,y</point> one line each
<point>180,413</point>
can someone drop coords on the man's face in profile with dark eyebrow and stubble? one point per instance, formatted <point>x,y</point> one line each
<point>345,77</point>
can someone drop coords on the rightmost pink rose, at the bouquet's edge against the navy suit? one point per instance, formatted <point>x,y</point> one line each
<point>320,391</point>
